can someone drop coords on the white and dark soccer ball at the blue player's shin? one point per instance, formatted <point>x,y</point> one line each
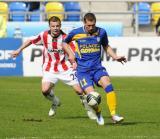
<point>93,99</point>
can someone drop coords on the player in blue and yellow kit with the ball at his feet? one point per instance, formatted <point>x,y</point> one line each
<point>89,42</point>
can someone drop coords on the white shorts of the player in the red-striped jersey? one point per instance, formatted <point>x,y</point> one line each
<point>68,77</point>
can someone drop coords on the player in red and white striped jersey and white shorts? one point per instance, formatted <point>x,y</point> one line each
<point>56,65</point>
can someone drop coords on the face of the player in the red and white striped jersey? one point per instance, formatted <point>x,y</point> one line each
<point>55,28</point>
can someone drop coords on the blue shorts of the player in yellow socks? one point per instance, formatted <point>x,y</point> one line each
<point>88,78</point>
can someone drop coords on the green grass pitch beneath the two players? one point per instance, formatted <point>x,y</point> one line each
<point>24,111</point>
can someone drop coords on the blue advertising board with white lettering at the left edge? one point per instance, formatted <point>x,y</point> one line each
<point>10,66</point>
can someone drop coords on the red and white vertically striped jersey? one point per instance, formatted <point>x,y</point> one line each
<point>54,58</point>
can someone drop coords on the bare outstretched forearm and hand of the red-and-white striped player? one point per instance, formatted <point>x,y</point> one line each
<point>18,51</point>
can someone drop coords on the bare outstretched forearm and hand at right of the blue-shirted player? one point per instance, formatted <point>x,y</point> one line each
<point>110,51</point>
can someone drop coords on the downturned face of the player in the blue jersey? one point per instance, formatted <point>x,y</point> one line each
<point>90,26</point>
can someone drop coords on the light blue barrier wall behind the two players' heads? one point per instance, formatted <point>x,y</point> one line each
<point>34,28</point>
